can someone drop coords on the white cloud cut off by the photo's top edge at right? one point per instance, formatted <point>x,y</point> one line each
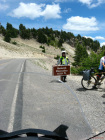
<point>92,3</point>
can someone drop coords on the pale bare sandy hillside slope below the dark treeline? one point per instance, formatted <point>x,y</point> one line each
<point>31,49</point>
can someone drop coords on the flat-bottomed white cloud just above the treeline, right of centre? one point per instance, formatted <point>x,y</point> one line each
<point>81,24</point>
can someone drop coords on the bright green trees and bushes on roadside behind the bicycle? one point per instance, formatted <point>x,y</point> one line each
<point>83,60</point>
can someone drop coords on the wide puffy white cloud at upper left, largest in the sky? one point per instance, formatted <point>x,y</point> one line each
<point>33,10</point>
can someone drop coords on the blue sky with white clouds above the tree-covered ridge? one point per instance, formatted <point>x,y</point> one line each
<point>84,17</point>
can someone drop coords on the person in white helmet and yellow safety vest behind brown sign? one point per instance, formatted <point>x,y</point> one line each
<point>63,60</point>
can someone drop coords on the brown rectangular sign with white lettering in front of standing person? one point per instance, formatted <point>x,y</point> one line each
<point>61,70</point>
